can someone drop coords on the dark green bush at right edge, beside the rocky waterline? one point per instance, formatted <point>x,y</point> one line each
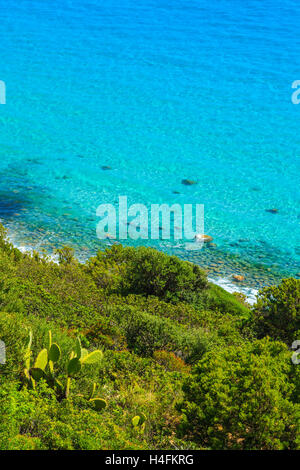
<point>277,312</point>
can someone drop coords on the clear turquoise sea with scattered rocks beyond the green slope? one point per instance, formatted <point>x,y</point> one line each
<point>159,91</point>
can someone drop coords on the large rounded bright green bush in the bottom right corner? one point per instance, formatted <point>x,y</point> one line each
<point>239,398</point>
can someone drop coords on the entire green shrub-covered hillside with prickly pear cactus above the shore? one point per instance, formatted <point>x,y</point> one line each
<point>136,350</point>
